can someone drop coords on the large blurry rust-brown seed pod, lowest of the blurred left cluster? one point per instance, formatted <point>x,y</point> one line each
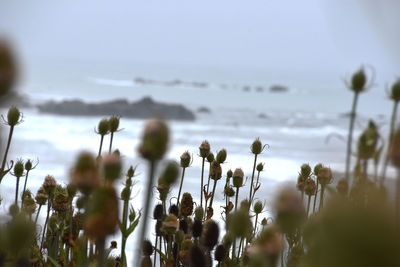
<point>102,215</point>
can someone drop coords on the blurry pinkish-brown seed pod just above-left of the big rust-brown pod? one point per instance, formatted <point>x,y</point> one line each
<point>85,174</point>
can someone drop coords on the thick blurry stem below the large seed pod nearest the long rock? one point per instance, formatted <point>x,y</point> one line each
<point>146,213</point>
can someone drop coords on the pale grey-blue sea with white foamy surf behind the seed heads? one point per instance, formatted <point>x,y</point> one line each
<point>306,124</point>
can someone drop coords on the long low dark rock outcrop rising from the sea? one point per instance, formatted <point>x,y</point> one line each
<point>142,109</point>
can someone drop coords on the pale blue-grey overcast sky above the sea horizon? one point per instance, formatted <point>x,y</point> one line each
<point>284,34</point>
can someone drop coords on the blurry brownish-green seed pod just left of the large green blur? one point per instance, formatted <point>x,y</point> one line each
<point>290,212</point>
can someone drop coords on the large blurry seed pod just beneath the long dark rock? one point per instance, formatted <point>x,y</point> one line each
<point>155,140</point>
